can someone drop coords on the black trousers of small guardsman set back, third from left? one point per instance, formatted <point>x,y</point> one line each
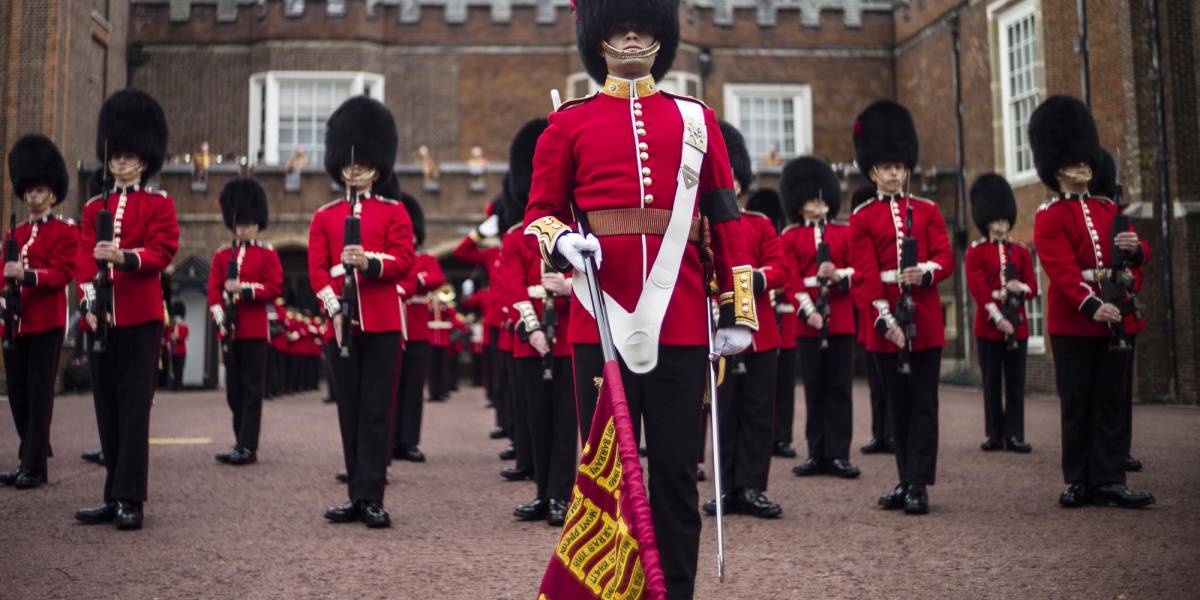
<point>245,375</point>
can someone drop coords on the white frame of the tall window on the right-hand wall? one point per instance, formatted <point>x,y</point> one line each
<point>1005,15</point>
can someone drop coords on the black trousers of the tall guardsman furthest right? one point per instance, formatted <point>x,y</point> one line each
<point>1093,389</point>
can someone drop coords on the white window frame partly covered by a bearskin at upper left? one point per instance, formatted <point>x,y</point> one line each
<point>265,97</point>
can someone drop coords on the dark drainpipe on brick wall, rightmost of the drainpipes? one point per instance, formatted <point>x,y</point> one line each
<point>1165,197</point>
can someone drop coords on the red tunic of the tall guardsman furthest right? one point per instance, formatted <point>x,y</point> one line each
<point>1073,236</point>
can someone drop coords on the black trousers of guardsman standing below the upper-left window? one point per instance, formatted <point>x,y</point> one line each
<point>367,387</point>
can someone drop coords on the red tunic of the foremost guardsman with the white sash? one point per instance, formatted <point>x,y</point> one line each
<point>589,158</point>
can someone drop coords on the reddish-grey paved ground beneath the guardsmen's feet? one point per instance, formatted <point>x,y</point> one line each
<point>257,532</point>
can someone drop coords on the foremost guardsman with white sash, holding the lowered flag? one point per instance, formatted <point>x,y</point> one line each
<point>641,169</point>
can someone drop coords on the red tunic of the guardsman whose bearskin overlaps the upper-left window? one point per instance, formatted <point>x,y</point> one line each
<point>388,242</point>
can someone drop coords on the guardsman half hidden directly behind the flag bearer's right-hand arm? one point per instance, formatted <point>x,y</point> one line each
<point>748,391</point>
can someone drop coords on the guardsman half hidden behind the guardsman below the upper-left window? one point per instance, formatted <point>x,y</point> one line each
<point>425,278</point>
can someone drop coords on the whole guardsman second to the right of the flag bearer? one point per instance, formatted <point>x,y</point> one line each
<point>818,251</point>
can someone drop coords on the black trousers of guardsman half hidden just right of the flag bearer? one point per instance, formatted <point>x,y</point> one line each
<point>745,415</point>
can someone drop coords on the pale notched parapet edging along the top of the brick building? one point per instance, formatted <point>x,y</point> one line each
<point>724,13</point>
